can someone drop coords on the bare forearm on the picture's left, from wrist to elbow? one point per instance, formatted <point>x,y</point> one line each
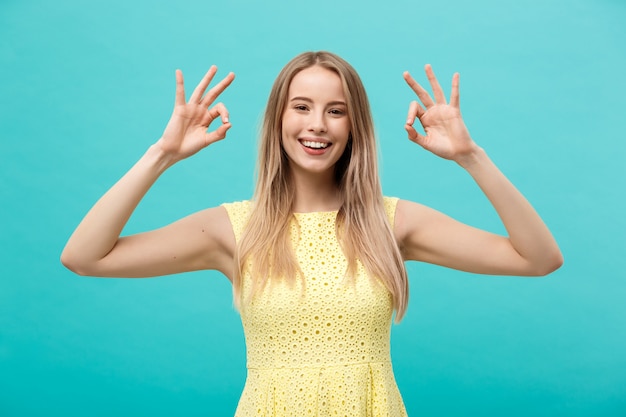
<point>99,231</point>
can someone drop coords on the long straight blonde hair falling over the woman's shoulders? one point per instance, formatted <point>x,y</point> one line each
<point>362,225</point>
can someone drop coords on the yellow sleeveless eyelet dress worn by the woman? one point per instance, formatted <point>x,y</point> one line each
<point>318,348</point>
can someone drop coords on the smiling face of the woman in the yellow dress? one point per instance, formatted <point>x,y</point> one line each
<point>315,123</point>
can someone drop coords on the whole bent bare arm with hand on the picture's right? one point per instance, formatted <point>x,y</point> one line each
<point>427,235</point>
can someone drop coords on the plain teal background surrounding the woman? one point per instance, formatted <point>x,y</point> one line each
<point>86,87</point>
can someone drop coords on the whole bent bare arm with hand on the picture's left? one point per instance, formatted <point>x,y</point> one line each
<point>203,240</point>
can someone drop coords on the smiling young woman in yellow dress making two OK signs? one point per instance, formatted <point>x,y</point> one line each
<point>316,257</point>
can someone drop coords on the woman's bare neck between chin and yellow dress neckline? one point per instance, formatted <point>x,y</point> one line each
<point>315,193</point>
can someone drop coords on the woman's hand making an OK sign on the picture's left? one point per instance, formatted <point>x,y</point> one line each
<point>187,130</point>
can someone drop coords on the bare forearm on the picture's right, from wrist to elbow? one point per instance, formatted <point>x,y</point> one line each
<point>528,234</point>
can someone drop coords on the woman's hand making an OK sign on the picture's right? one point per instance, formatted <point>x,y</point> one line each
<point>446,134</point>
